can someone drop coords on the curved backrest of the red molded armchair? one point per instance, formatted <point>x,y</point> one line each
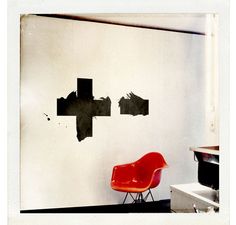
<point>149,168</point>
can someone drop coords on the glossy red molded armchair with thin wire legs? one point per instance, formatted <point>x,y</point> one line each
<point>139,176</point>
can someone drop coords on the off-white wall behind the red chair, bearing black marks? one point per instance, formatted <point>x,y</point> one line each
<point>168,68</point>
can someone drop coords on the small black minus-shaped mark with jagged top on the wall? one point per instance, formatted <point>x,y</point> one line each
<point>133,105</point>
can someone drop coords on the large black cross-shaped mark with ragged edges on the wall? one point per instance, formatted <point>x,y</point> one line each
<point>84,107</point>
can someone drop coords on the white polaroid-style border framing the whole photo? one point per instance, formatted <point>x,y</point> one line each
<point>30,7</point>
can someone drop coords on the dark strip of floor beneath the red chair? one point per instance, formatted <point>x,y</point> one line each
<point>162,206</point>
